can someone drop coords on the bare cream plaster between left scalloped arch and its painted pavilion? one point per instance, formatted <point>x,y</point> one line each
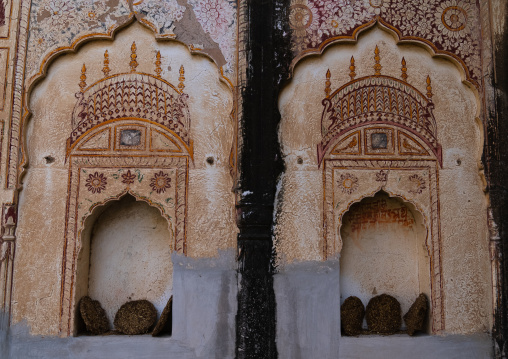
<point>42,203</point>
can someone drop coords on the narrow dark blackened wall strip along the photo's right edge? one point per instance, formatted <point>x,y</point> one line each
<point>495,157</point>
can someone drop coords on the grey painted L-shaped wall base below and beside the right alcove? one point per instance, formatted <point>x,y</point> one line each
<point>308,324</point>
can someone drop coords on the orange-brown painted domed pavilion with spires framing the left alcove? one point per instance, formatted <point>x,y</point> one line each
<point>131,134</point>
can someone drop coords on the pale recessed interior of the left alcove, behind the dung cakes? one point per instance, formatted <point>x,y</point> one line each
<point>125,255</point>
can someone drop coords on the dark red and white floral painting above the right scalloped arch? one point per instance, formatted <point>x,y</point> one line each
<point>450,26</point>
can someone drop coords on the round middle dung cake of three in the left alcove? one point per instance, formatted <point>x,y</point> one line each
<point>135,317</point>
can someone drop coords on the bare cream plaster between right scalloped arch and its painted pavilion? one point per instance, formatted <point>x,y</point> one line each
<point>462,202</point>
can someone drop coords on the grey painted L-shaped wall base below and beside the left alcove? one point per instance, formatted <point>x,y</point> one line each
<point>204,309</point>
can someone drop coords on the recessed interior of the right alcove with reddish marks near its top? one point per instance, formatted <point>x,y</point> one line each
<point>384,252</point>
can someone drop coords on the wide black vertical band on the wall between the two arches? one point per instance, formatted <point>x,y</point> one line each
<point>269,56</point>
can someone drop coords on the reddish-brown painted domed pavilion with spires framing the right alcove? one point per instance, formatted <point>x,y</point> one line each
<point>379,133</point>
